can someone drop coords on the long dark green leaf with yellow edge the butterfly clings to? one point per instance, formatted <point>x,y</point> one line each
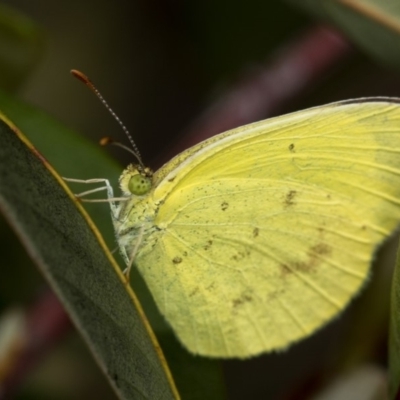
<point>69,252</point>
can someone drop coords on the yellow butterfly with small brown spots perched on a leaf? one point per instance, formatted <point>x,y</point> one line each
<point>257,237</point>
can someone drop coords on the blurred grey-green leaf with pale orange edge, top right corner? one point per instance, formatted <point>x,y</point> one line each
<point>373,25</point>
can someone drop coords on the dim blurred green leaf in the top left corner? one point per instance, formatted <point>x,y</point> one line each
<point>21,46</point>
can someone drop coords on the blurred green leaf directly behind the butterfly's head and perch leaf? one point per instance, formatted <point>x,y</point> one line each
<point>73,156</point>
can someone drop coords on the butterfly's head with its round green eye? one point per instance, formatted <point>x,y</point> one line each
<point>136,180</point>
